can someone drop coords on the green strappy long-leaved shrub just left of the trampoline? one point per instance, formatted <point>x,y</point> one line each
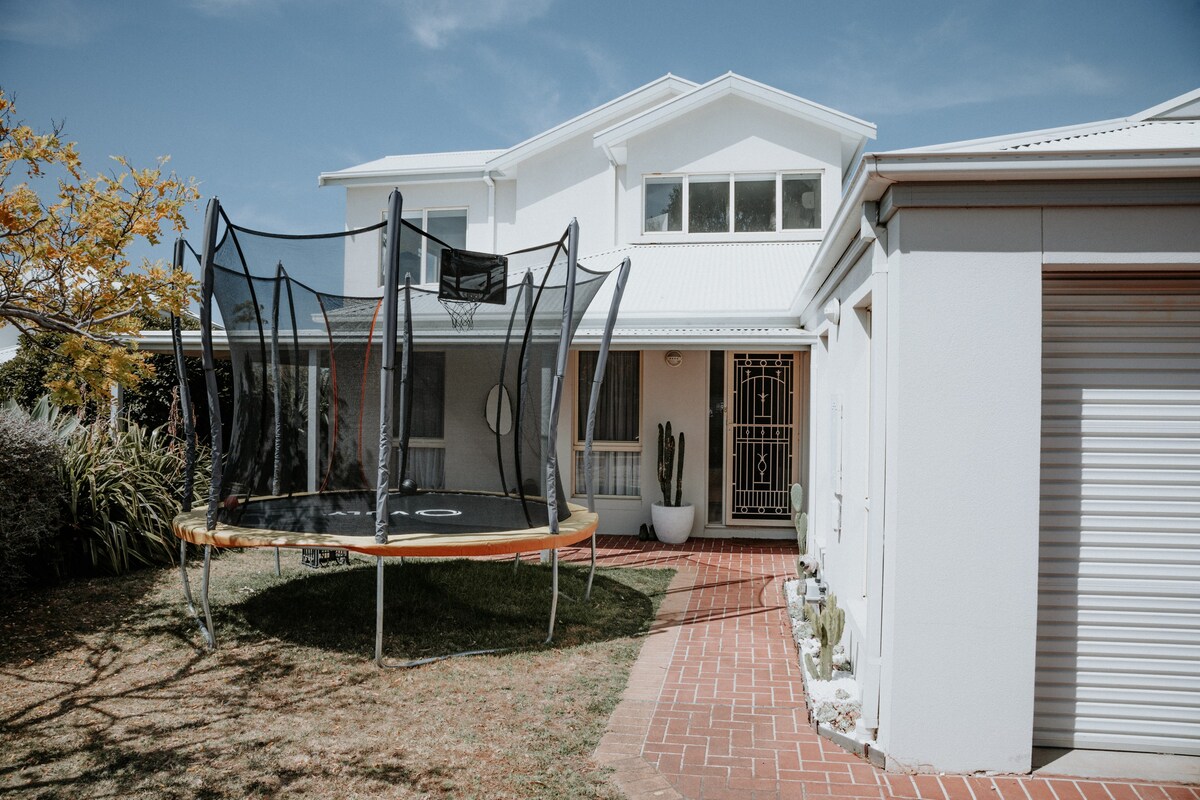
<point>123,491</point>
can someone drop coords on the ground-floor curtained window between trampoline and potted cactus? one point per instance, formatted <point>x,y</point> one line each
<point>616,447</point>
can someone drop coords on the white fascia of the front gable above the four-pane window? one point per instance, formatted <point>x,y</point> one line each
<point>733,85</point>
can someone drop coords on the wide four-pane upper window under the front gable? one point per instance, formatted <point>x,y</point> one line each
<point>733,203</point>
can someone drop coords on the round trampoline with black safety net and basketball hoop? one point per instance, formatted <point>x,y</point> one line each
<point>418,423</point>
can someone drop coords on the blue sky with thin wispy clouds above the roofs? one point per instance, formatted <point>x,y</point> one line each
<point>256,98</point>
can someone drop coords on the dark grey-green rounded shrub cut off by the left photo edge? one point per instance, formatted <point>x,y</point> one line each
<point>31,496</point>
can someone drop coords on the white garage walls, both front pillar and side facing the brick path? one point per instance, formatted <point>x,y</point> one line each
<point>937,556</point>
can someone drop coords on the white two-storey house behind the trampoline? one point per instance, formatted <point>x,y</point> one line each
<point>721,196</point>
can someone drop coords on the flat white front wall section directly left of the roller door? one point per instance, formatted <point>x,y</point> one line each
<point>964,460</point>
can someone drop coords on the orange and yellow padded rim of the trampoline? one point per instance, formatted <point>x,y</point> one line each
<point>581,525</point>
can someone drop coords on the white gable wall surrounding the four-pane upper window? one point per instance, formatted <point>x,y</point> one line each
<point>730,136</point>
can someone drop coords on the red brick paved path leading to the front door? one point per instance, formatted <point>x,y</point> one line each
<point>716,705</point>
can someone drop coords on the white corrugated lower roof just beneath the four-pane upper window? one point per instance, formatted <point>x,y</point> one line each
<point>705,286</point>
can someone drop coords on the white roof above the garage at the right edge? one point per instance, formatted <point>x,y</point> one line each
<point>1174,125</point>
